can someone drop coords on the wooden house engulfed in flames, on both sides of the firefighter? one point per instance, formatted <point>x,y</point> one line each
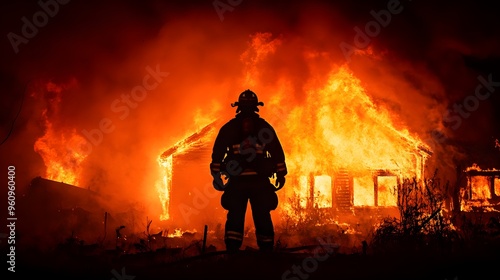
<point>342,165</point>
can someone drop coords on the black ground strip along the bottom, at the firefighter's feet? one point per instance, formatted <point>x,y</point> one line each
<point>476,263</point>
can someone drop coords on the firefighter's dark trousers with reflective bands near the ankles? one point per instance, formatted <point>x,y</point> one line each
<point>263,199</point>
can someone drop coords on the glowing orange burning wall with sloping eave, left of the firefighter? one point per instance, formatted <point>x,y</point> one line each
<point>185,178</point>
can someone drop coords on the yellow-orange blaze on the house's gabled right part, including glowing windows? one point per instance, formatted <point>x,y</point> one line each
<point>340,127</point>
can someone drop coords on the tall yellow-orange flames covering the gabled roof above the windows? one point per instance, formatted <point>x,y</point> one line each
<point>346,129</point>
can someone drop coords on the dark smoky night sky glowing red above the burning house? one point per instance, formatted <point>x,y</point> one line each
<point>104,48</point>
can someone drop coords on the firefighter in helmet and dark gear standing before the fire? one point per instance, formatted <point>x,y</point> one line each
<point>248,153</point>
